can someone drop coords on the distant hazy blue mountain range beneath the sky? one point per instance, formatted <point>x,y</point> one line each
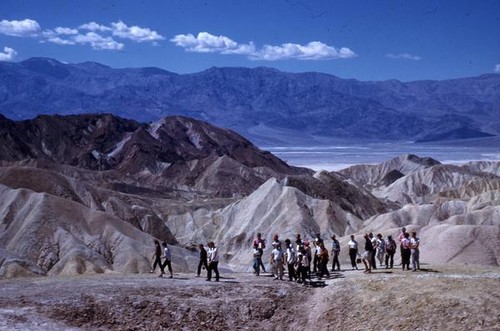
<point>263,104</point>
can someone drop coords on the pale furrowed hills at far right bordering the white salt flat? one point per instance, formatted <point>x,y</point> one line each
<point>412,179</point>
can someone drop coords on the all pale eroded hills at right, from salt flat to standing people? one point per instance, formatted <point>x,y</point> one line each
<point>454,209</point>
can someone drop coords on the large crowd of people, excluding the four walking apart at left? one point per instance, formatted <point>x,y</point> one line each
<point>301,260</point>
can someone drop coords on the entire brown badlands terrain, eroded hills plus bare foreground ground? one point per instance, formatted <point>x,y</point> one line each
<point>82,198</point>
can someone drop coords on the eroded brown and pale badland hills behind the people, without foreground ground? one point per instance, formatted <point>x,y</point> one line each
<point>88,194</point>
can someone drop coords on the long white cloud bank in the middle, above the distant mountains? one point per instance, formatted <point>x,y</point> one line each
<point>205,42</point>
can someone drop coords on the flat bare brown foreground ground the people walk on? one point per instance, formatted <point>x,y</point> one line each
<point>435,298</point>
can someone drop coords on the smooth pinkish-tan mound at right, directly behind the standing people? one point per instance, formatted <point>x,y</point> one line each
<point>449,232</point>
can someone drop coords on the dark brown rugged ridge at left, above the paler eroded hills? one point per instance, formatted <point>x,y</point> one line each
<point>173,153</point>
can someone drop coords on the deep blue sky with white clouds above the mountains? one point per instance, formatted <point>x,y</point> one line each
<point>364,40</point>
